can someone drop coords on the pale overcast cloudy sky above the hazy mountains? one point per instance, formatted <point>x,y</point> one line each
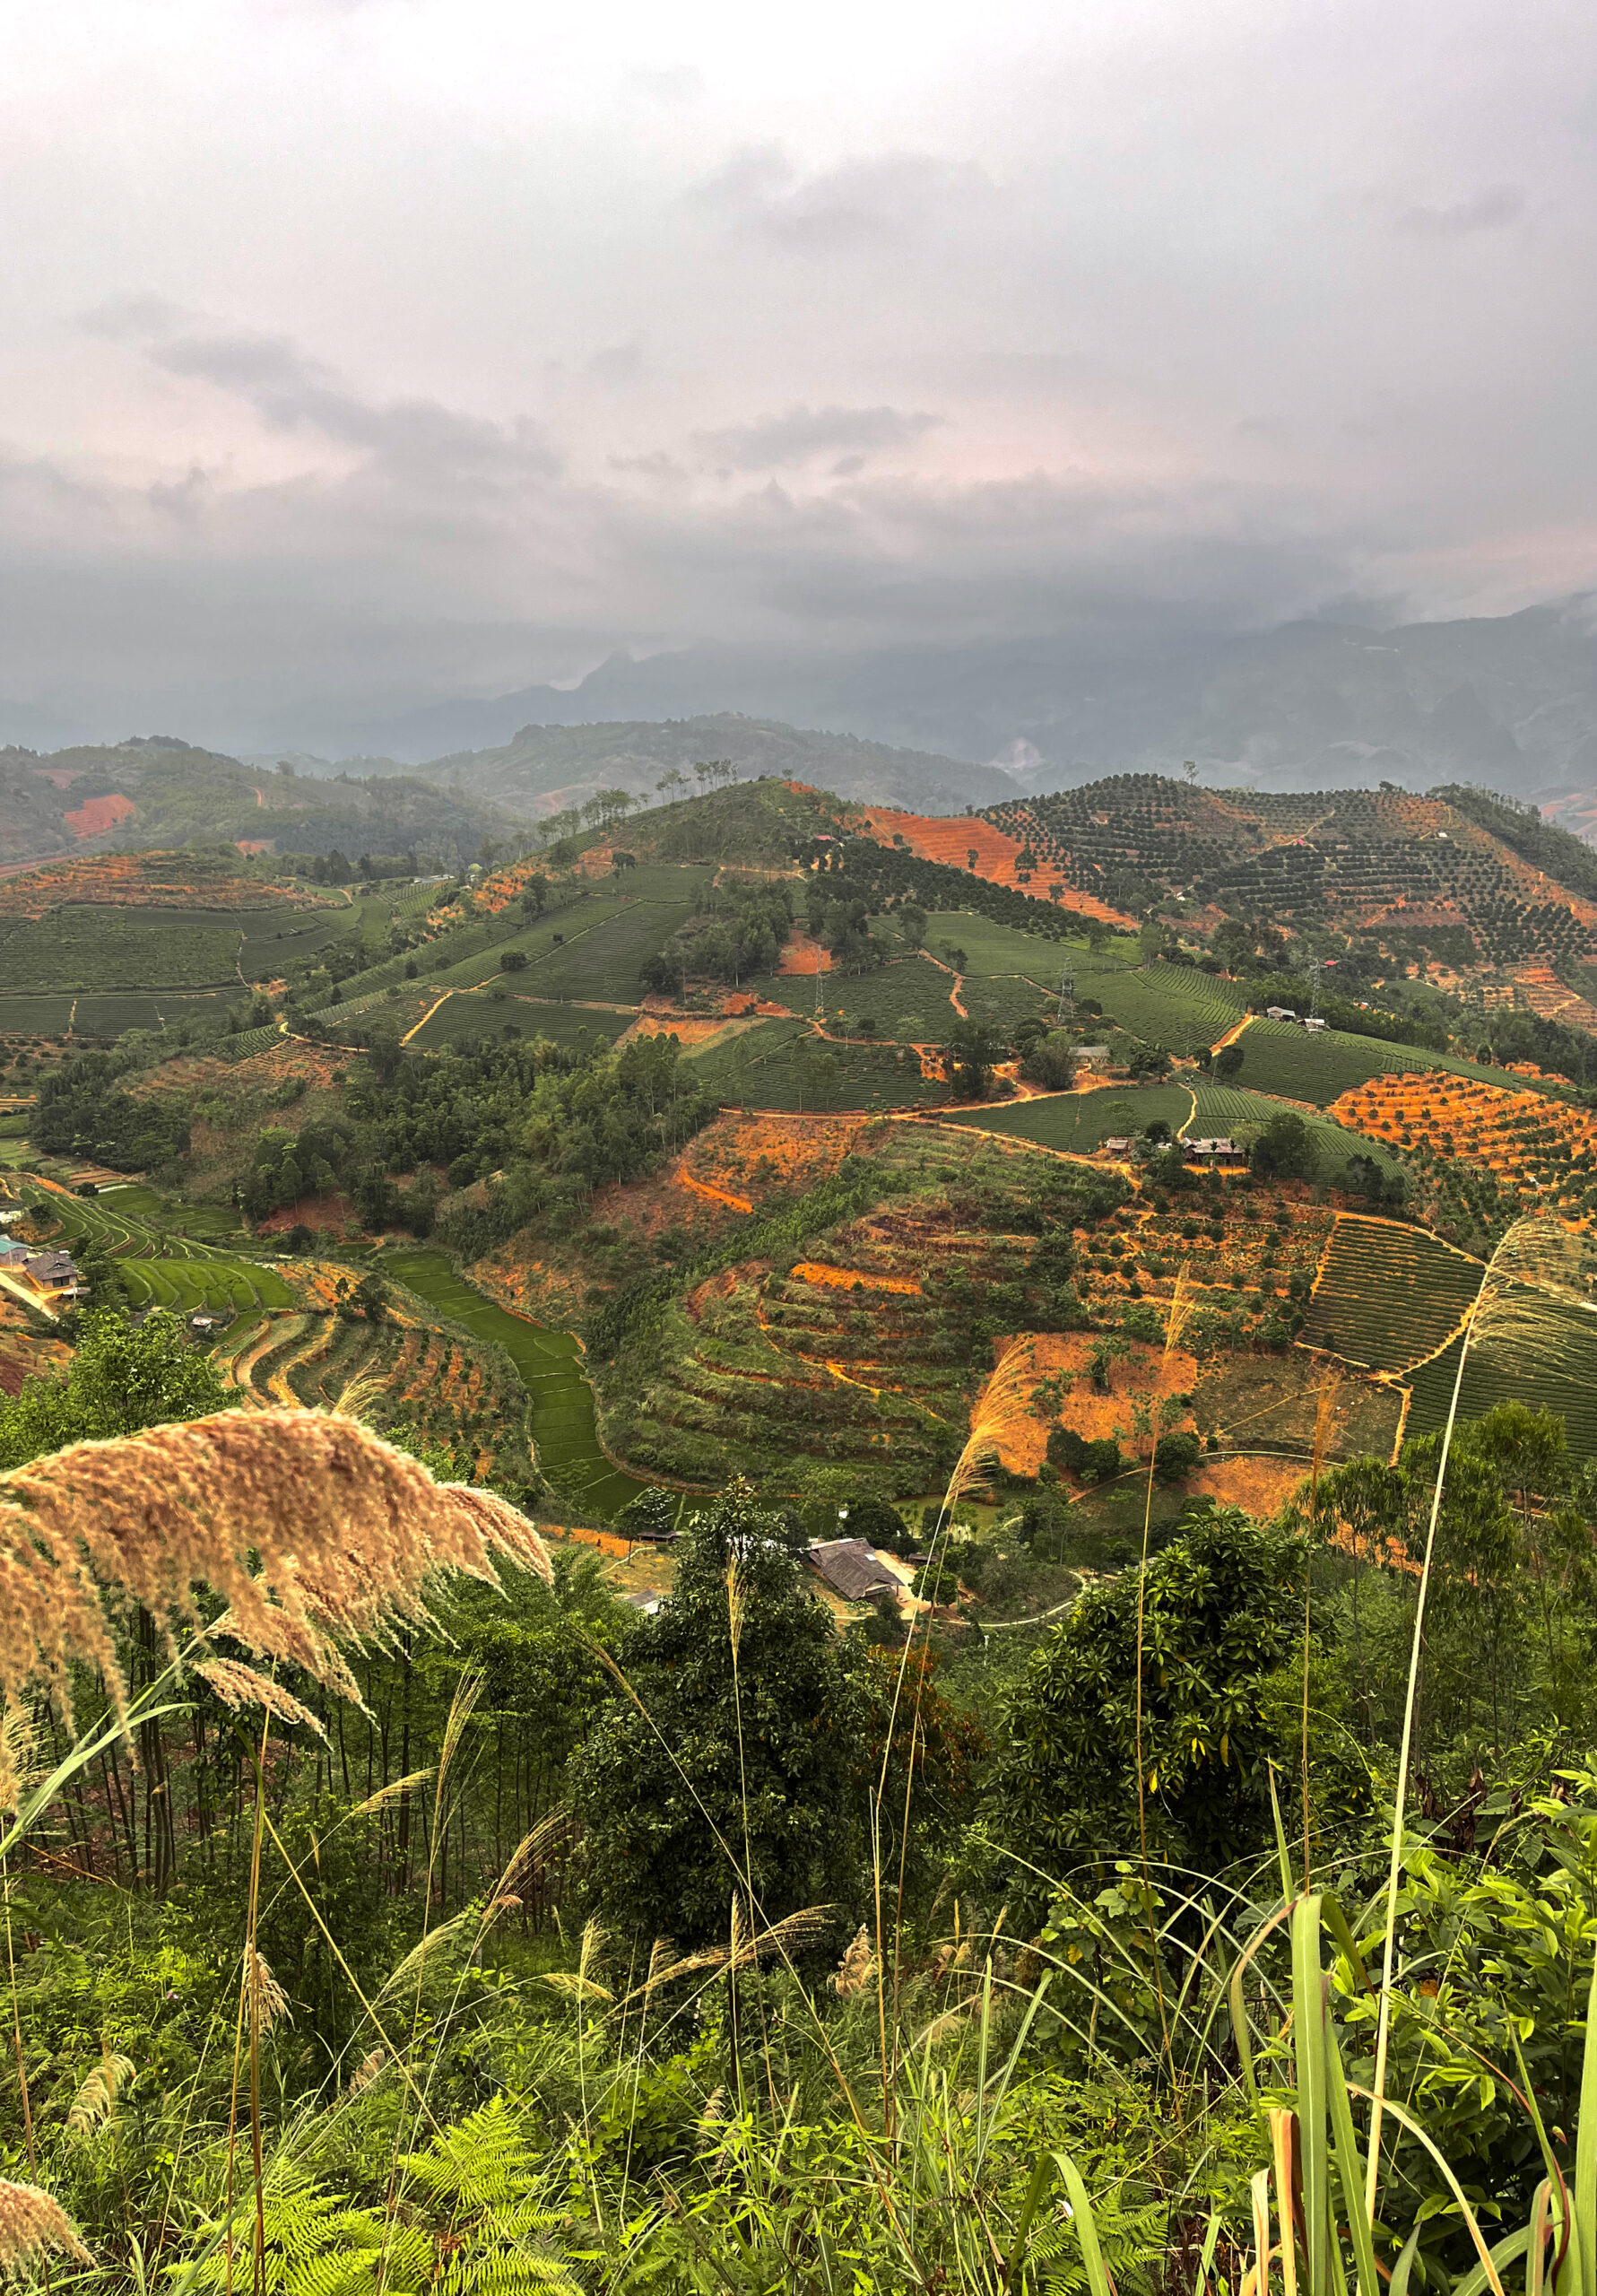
<point>368,352</point>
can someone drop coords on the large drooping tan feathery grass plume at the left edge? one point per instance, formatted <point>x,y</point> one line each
<point>306,1526</point>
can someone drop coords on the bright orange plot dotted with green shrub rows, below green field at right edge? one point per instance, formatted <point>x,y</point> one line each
<point>1532,1142</point>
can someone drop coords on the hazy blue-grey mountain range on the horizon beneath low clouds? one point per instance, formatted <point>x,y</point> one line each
<point>1307,706</point>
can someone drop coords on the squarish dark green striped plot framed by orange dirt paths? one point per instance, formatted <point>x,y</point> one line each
<point>1387,1296</point>
